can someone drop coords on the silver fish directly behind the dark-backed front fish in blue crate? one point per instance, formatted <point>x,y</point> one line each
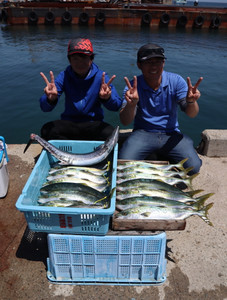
<point>98,187</point>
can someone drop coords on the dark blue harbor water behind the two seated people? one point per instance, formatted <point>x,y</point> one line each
<point>28,50</point>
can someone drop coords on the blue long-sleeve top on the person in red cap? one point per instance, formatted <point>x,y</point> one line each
<point>82,102</point>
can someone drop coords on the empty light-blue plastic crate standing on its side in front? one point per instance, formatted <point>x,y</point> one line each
<point>122,260</point>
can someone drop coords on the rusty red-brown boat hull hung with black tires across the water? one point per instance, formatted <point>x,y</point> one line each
<point>156,13</point>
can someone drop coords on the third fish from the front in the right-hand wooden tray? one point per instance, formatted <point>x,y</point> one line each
<point>169,180</point>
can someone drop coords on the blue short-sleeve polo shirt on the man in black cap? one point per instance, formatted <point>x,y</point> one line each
<point>157,111</point>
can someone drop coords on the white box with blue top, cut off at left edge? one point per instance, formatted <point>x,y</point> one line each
<point>4,174</point>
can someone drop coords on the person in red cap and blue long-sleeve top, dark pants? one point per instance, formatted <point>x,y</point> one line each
<point>86,89</point>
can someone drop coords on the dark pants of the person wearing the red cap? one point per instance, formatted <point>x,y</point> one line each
<point>68,130</point>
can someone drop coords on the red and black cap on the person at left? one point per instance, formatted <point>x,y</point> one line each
<point>80,45</point>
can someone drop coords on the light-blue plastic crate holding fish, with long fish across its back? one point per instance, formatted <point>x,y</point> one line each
<point>64,219</point>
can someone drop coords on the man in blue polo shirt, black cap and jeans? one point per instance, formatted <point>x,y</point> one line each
<point>151,101</point>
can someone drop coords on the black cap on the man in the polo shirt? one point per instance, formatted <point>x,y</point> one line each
<point>149,51</point>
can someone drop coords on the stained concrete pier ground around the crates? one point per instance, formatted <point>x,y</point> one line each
<point>196,256</point>
